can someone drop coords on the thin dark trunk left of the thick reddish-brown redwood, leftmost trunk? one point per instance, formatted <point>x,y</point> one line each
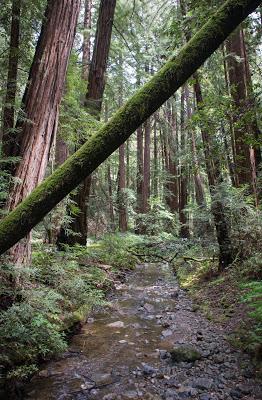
<point>8,140</point>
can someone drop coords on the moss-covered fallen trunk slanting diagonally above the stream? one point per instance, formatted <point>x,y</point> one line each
<point>144,103</point>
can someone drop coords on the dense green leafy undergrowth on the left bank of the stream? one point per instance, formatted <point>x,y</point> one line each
<point>58,290</point>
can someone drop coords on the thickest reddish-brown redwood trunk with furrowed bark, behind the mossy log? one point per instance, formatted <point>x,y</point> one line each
<point>41,104</point>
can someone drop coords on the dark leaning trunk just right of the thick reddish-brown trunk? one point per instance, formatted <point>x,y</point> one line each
<point>93,103</point>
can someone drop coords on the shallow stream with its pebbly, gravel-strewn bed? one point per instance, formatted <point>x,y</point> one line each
<point>124,352</point>
